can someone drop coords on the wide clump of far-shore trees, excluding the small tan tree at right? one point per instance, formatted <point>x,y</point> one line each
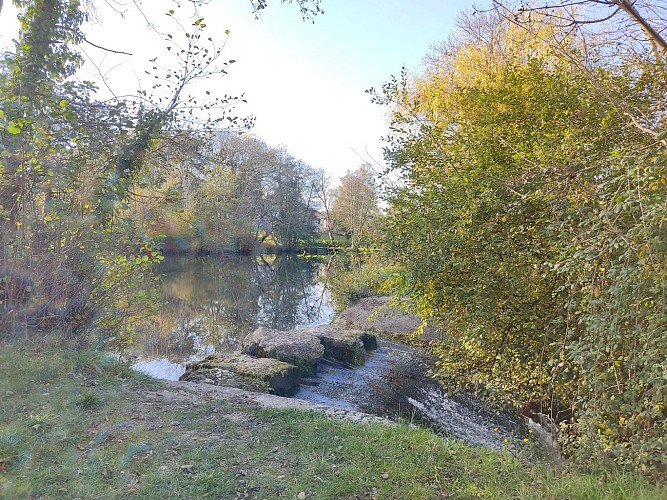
<point>225,192</point>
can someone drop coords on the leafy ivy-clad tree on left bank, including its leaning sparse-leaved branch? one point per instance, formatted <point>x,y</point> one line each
<point>70,166</point>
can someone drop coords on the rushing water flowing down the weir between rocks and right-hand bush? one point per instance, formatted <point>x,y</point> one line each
<point>394,383</point>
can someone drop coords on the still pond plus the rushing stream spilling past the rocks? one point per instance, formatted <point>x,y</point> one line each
<point>210,304</point>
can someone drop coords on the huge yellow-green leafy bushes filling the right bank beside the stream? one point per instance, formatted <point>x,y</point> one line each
<point>529,226</point>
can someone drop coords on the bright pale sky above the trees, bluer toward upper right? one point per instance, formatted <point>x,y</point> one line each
<point>304,82</point>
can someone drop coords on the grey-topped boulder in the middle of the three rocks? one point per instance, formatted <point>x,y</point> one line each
<point>303,351</point>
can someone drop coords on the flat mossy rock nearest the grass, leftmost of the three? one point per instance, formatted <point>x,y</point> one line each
<point>245,372</point>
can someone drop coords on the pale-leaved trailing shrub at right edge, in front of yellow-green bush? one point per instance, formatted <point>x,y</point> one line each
<point>617,271</point>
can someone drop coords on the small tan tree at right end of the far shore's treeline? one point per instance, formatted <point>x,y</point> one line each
<point>354,208</point>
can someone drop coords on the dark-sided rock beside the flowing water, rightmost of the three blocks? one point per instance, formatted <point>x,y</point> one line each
<point>342,344</point>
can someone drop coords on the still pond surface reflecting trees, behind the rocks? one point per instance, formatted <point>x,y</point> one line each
<point>210,304</point>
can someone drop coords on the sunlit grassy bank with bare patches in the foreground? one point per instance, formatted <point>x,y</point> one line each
<point>77,424</point>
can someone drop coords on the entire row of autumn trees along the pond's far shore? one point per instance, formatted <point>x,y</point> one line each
<point>231,193</point>
